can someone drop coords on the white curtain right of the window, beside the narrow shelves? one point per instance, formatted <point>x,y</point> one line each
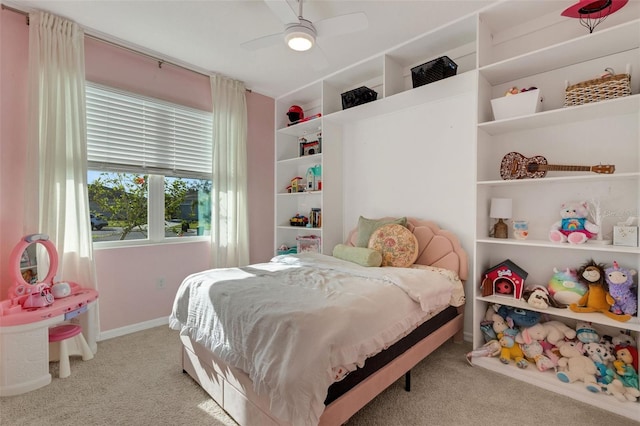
<point>229,209</point>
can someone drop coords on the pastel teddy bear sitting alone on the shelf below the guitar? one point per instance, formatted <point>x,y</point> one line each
<point>573,227</point>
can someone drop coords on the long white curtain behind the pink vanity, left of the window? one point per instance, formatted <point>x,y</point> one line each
<point>57,202</point>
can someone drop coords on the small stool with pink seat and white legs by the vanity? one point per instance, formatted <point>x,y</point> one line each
<point>66,340</point>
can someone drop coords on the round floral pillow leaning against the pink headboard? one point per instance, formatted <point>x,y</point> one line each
<point>398,245</point>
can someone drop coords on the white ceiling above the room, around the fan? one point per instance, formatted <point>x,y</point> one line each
<point>206,35</point>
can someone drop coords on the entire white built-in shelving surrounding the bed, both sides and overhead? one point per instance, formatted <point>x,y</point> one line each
<point>495,52</point>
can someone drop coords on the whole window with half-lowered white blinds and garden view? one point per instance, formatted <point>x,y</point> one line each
<point>149,167</point>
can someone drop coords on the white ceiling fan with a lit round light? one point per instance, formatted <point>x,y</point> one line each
<point>301,34</point>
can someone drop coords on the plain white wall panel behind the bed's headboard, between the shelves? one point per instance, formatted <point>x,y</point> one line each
<point>416,162</point>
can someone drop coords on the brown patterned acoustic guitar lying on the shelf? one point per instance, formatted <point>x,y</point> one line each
<point>516,166</point>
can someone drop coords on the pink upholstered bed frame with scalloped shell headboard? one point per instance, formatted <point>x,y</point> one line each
<point>232,389</point>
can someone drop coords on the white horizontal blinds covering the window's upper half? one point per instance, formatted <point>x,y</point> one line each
<point>132,133</point>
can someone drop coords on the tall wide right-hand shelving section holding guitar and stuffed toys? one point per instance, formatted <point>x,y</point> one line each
<point>548,51</point>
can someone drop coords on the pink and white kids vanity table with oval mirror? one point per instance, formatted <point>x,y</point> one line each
<point>33,306</point>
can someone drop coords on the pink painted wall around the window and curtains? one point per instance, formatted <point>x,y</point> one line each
<point>127,277</point>
